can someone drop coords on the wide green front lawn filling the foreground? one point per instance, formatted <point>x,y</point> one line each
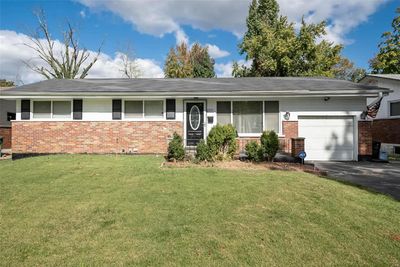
<point>126,210</point>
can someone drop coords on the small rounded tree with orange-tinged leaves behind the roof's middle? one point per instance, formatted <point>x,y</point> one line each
<point>183,62</point>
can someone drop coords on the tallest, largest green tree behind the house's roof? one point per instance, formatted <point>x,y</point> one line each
<point>276,49</point>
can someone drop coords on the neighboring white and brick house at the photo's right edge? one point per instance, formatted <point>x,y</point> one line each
<point>386,125</point>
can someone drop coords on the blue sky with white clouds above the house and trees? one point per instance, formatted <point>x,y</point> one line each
<point>152,27</point>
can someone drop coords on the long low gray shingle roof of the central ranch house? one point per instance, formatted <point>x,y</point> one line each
<point>201,87</point>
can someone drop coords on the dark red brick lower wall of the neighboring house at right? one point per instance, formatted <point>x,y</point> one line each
<point>386,131</point>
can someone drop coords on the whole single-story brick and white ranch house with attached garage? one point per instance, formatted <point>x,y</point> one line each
<point>140,115</point>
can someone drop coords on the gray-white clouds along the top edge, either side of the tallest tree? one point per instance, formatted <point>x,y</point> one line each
<point>160,17</point>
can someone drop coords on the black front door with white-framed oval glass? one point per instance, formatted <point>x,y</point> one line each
<point>194,123</point>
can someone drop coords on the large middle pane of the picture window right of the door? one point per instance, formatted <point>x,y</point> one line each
<point>247,116</point>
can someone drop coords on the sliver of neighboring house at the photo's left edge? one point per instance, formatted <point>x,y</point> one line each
<point>7,113</point>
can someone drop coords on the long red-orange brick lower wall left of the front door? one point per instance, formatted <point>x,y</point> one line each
<point>31,137</point>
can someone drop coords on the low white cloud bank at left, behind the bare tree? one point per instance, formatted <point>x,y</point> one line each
<point>14,53</point>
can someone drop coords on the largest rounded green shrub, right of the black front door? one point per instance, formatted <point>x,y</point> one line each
<point>221,142</point>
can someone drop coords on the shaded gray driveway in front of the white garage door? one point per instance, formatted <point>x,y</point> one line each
<point>379,177</point>
